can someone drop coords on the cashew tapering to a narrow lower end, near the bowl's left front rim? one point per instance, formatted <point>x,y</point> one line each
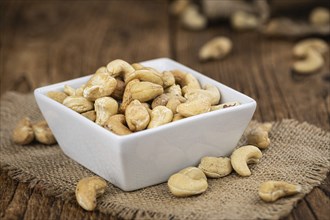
<point>105,107</point>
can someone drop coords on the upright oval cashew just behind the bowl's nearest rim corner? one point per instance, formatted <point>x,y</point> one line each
<point>137,116</point>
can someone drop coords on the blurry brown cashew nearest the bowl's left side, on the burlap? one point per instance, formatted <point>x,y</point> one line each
<point>42,133</point>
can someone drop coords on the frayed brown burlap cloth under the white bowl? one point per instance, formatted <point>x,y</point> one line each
<point>299,153</point>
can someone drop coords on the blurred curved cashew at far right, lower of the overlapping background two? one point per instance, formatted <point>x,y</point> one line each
<point>313,61</point>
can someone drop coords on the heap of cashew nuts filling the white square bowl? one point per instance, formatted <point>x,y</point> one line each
<point>125,98</point>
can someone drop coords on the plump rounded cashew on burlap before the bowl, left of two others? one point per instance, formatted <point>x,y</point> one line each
<point>188,182</point>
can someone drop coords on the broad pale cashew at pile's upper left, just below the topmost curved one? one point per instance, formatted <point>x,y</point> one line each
<point>99,85</point>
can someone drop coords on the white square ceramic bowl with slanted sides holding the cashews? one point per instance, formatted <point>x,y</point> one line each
<point>147,157</point>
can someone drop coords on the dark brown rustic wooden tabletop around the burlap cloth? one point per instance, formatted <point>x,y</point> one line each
<point>44,42</point>
